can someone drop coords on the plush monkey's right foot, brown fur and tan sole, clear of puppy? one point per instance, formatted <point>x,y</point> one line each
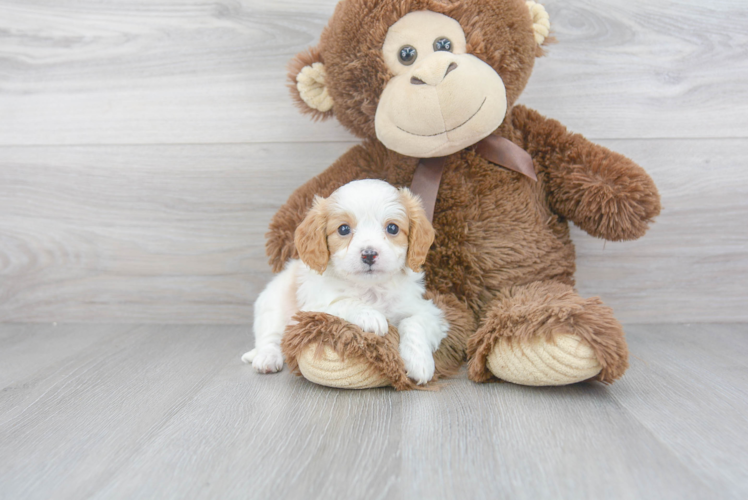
<point>544,333</point>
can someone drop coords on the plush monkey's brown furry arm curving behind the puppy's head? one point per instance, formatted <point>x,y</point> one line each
<point>279,246</point>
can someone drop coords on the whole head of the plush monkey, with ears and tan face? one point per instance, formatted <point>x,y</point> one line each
<point>425,77</point>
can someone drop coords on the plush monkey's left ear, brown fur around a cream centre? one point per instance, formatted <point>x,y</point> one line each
<point>306,74</point>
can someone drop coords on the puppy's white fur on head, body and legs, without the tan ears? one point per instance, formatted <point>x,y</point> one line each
<point>392,293</point>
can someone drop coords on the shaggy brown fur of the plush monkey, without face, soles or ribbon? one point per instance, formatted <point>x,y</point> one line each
<point>502,260</point>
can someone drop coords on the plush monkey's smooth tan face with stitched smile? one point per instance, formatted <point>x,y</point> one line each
<point>441,99</point>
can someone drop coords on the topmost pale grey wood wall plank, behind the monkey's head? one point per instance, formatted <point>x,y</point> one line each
<point>201,71</point>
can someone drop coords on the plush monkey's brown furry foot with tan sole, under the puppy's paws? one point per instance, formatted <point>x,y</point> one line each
<point>329,351</point>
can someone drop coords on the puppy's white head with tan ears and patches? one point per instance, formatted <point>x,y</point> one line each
<point>365,231</point>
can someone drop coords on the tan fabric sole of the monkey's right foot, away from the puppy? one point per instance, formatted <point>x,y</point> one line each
<point>561,360</point>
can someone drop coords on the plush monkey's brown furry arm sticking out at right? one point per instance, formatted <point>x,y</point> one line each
<point>602,192</point>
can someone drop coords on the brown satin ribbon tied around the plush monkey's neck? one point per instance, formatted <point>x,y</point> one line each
<point>495,149</point>
